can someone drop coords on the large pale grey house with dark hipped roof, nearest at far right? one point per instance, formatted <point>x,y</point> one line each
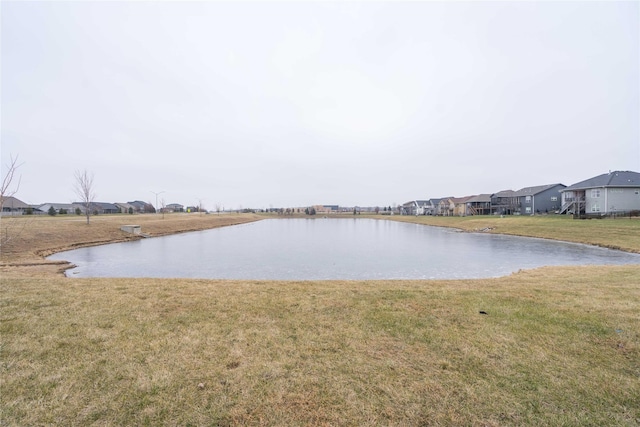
<point>609,193</point>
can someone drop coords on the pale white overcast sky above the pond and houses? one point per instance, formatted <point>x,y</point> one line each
<point>260,104</point>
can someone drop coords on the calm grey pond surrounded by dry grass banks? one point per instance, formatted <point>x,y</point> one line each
<point>316,249</point>
